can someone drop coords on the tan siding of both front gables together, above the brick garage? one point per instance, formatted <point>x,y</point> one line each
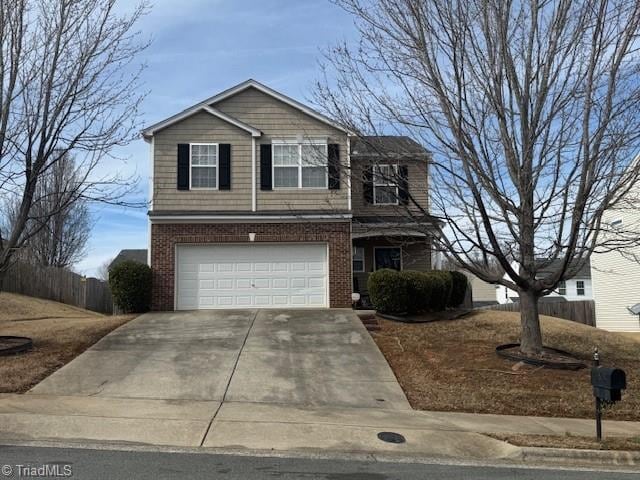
<point>276,120</point>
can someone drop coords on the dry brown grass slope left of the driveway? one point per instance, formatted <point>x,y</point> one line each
<point>59,332</point>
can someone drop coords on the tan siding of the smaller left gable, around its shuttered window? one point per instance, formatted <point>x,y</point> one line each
<point>201,128</point>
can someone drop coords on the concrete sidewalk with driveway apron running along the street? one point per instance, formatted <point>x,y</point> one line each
<point>273,427</point>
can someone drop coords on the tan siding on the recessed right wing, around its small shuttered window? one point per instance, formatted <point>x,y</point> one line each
<point>418,188</point>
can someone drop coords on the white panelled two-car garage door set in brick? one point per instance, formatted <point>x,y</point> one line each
<point>251,275</point>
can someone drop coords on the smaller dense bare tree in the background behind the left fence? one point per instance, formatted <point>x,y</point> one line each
<point>57,234</point>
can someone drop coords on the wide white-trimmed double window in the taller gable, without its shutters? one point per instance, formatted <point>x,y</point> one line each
<point>300,165</point>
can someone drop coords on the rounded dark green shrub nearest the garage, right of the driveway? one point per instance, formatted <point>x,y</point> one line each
<point>389,291</point>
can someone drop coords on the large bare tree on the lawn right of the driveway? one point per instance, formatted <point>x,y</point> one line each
<point>530,110</point>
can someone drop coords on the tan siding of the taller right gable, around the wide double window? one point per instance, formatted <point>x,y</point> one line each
<point>278,120</point>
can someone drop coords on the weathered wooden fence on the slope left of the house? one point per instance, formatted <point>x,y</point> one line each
<point>60,285</point>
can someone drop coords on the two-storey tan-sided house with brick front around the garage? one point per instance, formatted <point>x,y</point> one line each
<point>254,203</point>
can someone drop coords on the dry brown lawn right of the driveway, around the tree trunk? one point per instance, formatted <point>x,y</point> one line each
<point>452,366</point>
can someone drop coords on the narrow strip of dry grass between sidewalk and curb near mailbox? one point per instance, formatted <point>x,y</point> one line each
<point>568,441</point>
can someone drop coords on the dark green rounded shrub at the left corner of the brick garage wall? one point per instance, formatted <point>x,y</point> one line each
<point>130,284</point>
